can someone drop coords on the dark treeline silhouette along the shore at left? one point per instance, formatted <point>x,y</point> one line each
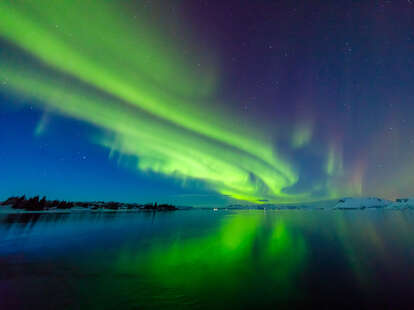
<point>37,204</point>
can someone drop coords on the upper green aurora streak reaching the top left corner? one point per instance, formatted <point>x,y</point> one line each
<point>98,67</point>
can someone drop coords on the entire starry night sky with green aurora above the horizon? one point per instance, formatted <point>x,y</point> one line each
<point>199,102</point>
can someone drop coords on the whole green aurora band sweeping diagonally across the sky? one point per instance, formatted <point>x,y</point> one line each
<point>123,75</point>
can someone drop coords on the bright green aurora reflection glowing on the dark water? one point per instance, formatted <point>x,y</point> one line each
<point>246,252</point>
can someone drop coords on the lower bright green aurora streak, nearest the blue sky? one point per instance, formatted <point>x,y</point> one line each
<point>163,148</point>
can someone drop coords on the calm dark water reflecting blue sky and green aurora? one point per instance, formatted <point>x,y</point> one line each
<point>200,259</point>
